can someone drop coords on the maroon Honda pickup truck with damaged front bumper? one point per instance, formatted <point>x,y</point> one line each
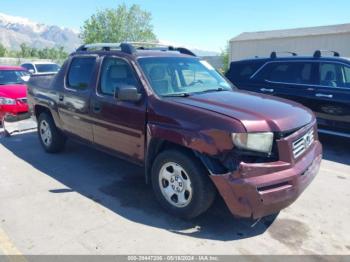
<point>172,113</point>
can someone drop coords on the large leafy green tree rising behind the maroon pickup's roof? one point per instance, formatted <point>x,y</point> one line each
<point>118,25</point>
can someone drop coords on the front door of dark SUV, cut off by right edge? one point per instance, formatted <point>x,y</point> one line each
<point>333,96</point>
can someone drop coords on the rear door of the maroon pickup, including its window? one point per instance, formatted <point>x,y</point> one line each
<point>74,100</point>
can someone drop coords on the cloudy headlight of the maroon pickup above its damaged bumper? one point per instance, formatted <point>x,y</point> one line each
<point>259,142</point>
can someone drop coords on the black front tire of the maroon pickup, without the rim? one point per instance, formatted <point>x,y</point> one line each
<point>203,190</point>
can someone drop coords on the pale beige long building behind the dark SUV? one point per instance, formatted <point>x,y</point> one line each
<point>303,41</point>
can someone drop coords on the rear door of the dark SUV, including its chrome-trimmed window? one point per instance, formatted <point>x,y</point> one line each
<point>293,80</point>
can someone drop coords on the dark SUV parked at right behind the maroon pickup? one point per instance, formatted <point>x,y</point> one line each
<point>318,82</point>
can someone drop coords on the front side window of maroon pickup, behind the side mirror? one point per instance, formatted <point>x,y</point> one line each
<point>115,73</point>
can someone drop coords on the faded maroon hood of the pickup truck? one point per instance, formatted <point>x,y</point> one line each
<point>258,113</point>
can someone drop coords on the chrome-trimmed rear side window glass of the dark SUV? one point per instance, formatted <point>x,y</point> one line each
<point>293,73</point>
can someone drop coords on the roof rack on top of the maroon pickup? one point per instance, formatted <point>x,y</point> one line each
<point>132,47</point>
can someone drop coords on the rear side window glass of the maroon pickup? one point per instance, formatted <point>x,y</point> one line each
<point>80,72</point>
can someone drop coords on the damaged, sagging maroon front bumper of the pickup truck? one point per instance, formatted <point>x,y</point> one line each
<point>258,190</point>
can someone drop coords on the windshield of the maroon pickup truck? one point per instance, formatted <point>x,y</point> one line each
<point>174,76</point>
